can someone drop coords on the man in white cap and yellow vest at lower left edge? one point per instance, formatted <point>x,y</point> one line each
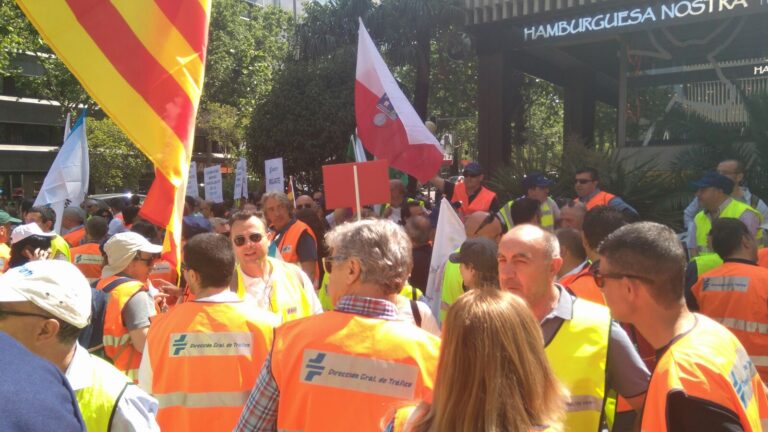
<point>44,305</point>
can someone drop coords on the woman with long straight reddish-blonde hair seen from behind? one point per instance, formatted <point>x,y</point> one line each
<point>493,375</point>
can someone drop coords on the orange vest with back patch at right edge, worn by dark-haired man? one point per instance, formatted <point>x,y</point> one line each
<point>736,296</point>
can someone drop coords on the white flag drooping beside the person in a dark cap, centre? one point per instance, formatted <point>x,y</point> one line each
<point>448,237</point>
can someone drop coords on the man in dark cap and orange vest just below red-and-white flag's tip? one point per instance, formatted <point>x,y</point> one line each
<point>470,195</point>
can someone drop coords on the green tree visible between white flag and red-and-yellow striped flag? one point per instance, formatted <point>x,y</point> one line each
<point>116,164</point>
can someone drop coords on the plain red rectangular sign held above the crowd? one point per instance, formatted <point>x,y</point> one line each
<point>339,184</point>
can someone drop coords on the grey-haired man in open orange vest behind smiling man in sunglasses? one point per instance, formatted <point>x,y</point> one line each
<point>290,237</point>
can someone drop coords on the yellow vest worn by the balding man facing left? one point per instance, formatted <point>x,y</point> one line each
<point>578,356</point>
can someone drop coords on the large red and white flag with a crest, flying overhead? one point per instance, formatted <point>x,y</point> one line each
<point>387,124</point>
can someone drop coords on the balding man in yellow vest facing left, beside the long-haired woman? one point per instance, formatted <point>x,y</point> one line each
<point>589,353</point>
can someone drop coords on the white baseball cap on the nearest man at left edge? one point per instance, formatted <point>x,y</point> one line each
<point>56,286</point>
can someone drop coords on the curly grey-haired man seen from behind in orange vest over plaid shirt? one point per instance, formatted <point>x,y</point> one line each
<point>324,372</point>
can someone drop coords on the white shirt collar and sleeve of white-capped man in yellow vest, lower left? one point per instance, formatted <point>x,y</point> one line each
<point>135,410</point>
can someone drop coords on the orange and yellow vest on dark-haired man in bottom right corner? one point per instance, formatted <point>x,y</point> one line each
<point>707,363</point>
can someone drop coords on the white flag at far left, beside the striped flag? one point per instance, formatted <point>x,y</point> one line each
<point>67,180</point>
